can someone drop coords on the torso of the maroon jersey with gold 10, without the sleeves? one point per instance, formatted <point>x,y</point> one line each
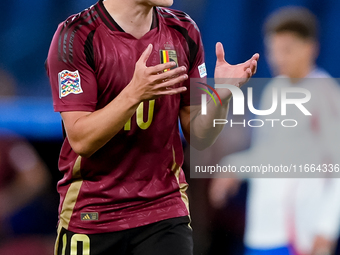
<point>135,178</point>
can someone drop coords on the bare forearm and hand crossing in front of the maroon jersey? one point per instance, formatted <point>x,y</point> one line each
<point>88,132</point>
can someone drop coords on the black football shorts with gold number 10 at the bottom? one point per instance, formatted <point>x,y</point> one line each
<point>167,237</point>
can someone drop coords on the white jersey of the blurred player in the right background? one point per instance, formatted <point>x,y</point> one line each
<point>283,211</point>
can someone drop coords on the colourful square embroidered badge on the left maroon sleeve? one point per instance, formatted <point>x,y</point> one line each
<point>69,83</point>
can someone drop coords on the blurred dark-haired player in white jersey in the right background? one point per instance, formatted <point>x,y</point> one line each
<point>288,216</point>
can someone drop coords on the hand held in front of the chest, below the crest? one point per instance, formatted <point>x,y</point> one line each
<point>152,82</point>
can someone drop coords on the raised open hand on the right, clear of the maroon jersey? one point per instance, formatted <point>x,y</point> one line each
<point>237,75</point>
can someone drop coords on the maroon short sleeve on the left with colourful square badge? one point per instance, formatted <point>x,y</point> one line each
<point>72,77</point>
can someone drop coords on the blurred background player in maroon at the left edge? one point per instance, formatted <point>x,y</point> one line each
<point>24,181</point>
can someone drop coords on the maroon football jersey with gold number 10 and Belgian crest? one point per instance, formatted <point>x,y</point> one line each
<point>136,178</point>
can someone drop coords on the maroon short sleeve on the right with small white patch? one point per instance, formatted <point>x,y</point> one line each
<point>197,72</point>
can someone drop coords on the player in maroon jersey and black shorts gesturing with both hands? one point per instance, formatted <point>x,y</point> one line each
<point>119,73</point>
